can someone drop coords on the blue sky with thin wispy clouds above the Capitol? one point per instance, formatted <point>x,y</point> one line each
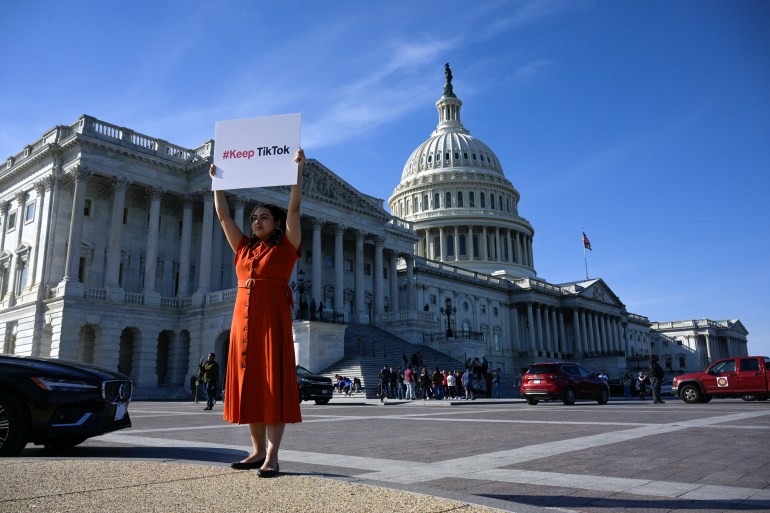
<point>647,123</point>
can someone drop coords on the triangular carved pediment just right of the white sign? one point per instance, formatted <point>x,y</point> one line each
<point>321,184</point>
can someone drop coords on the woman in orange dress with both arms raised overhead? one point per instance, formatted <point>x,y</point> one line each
<point>261,365</point>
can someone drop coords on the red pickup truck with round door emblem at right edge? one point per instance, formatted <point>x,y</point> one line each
<point>743,376</point>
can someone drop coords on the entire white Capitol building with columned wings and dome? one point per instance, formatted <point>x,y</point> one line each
<point>110,254</point>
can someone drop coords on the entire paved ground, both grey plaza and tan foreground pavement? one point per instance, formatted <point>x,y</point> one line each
<point>463,456</point>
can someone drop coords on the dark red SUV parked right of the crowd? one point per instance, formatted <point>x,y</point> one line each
<point>562,381</point>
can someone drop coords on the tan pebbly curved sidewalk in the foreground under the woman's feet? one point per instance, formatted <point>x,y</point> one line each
<point>103,486</point>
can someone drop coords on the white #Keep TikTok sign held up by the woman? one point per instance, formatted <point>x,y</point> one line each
<point>256,152</point>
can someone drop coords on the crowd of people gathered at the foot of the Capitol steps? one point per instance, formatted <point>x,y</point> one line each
<point>413,380</point>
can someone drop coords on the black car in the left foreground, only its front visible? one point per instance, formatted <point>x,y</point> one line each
<point>57,403</point>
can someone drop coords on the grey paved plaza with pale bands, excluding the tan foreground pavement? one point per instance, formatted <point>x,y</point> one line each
<point>627,455</point>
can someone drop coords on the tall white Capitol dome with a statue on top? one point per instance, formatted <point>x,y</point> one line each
<point>454,192</point>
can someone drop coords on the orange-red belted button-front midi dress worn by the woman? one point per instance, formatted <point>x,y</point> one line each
<point>261,367</point>
